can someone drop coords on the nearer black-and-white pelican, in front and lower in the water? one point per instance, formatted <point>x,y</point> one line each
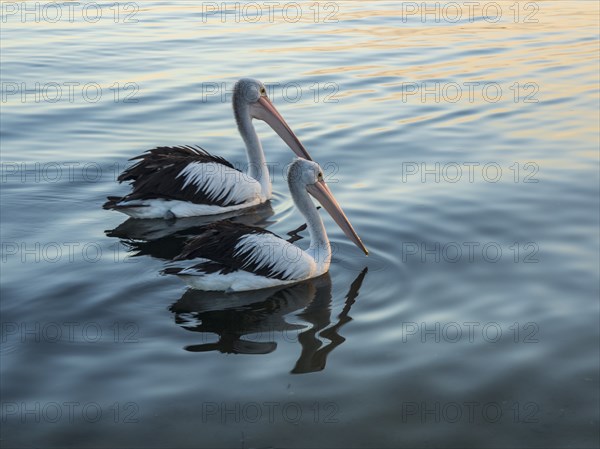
<point>235,257</point>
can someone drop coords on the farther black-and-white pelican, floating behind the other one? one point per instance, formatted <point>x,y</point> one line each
<point>173,182</point>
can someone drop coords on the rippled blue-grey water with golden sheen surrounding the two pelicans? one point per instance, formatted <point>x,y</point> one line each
<point>474,321</point>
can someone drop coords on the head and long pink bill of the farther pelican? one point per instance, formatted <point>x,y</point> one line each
<point>250,95</point>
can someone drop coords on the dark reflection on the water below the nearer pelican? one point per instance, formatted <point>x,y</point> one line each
<point>250,322</point>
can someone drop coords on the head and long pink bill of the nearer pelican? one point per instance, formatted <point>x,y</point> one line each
<point>310,175</point>
